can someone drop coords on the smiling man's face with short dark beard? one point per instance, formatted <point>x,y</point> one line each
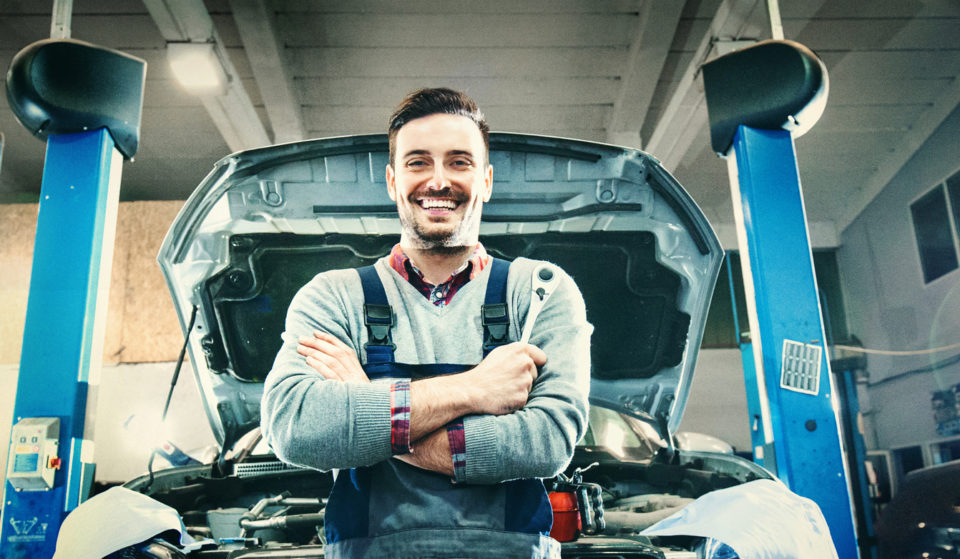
<point>440,180</point>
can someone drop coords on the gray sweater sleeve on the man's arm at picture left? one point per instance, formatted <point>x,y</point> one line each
<point>312,422</point>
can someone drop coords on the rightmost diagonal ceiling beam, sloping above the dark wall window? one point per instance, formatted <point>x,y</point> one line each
<point>920,130</point>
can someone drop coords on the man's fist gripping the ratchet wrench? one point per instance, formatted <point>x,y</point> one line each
<point>502,381</point>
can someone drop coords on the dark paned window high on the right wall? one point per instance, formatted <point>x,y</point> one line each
<point>936,217</point>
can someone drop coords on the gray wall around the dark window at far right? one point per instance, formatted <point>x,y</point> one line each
<point>890,307</point>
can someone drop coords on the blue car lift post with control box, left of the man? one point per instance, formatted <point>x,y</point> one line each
<point>66,306</point>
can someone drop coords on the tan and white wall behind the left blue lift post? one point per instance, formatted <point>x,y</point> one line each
<point>141,328</point>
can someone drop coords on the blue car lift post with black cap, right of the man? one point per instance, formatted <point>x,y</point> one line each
<point>757,99</point>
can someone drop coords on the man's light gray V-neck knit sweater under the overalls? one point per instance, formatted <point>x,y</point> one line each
<point>326,425</point>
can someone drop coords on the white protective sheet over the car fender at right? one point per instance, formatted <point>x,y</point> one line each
<point>759,520</point>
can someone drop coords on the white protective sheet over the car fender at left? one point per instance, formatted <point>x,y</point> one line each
<point>113,520</point>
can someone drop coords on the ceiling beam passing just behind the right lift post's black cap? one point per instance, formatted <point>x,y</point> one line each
<point>686,112</point>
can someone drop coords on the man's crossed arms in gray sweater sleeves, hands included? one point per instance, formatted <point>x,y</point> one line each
<point>523,407</point>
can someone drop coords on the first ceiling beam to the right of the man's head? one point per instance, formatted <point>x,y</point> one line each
<point>648,52</point>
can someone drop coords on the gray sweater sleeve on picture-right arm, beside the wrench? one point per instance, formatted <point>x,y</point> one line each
<point>538,441</point>
